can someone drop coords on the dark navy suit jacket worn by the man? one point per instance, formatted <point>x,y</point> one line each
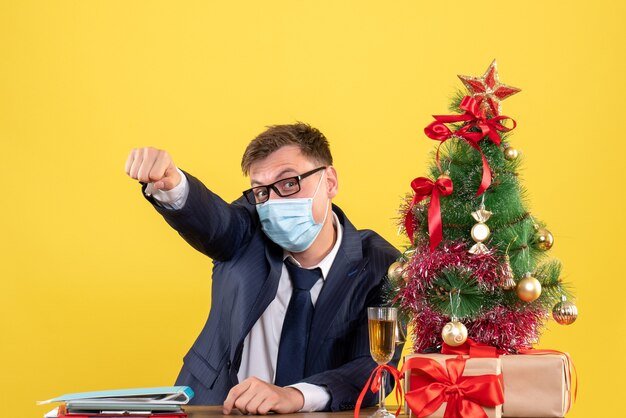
<point>246,271</point>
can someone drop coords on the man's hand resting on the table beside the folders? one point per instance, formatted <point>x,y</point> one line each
<point>254,396</point>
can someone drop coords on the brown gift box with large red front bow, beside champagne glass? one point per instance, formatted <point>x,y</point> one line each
<point>453,386</point>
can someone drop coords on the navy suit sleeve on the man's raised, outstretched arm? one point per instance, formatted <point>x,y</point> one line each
<point>209,224</point>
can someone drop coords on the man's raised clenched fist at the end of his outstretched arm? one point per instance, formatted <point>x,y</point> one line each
<point>151,165</point>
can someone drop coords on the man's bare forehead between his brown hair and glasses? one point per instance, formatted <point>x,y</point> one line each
<point>284,162</point>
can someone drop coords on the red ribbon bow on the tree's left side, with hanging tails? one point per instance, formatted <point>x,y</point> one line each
<point>424,188</point>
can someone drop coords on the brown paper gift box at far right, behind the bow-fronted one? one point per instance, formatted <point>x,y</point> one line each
<point>536,385</point>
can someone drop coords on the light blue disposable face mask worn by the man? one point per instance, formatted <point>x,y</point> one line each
<point>290,223</point>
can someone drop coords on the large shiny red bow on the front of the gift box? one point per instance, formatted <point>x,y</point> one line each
<point>432,385</point>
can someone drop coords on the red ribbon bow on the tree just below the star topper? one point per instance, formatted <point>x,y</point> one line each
<point>474,118</point>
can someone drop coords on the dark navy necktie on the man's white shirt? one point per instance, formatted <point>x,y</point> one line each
<point>295,334</point>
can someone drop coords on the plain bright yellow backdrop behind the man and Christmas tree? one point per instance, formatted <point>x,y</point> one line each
<point>98,292</point>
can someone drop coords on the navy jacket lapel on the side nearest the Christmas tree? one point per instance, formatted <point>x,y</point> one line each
<point>346,266</point>
